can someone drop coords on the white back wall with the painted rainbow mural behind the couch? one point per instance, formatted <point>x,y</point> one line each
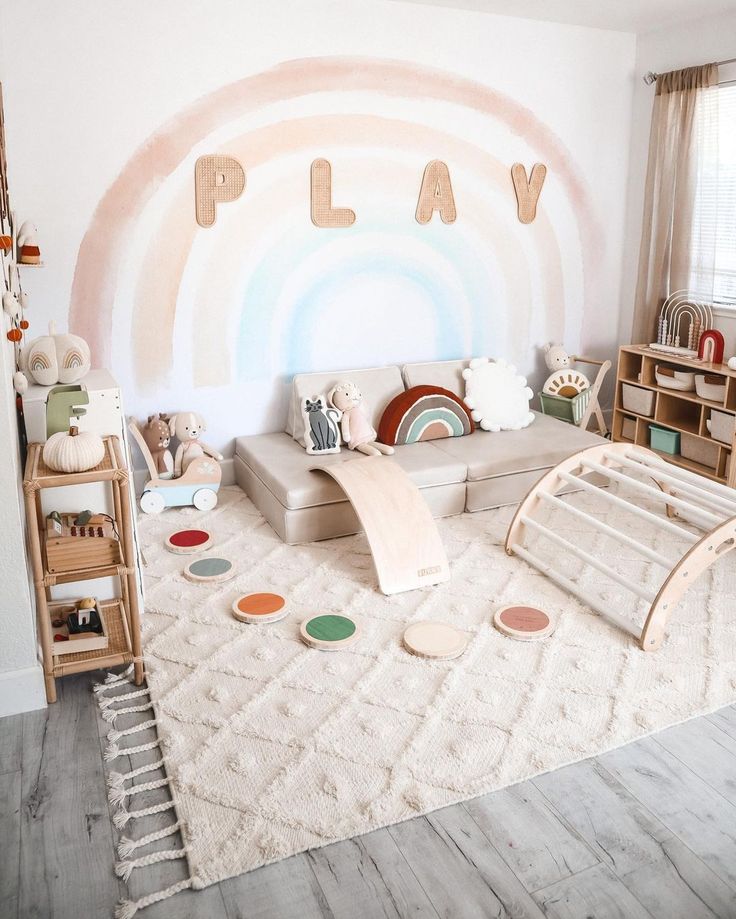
<point>216,320</point>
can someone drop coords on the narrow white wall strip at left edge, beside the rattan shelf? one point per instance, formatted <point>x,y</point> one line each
<point>21,678</point>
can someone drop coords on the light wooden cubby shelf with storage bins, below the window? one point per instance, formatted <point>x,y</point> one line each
<point>675,410</point>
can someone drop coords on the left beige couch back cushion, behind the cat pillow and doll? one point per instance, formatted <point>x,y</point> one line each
<point>378,385</point>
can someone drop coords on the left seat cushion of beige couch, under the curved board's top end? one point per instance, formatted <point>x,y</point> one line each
<point>284,467</point>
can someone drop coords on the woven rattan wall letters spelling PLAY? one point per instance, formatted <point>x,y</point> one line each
<point>219,179</point>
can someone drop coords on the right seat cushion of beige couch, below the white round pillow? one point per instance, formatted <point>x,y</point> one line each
<point>544,443</point>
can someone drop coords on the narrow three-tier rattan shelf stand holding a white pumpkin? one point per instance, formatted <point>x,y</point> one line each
<point>120,613</point>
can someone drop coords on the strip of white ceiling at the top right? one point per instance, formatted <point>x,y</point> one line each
<point>619,15</point>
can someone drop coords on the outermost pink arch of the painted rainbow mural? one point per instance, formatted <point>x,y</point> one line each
<point>98,261</point>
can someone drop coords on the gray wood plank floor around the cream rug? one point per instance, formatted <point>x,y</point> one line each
<point>647,831</point>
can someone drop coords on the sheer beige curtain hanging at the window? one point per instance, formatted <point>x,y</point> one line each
<point>677,249</point>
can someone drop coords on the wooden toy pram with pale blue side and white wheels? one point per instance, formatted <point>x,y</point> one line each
<point>198,484</point>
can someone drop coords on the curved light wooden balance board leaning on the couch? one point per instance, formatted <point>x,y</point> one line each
<point>403,537</point>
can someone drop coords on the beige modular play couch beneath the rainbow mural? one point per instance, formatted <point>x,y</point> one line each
<point>456,474</point>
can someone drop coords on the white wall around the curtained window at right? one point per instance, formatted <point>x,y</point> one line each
<point>698,42</point>
